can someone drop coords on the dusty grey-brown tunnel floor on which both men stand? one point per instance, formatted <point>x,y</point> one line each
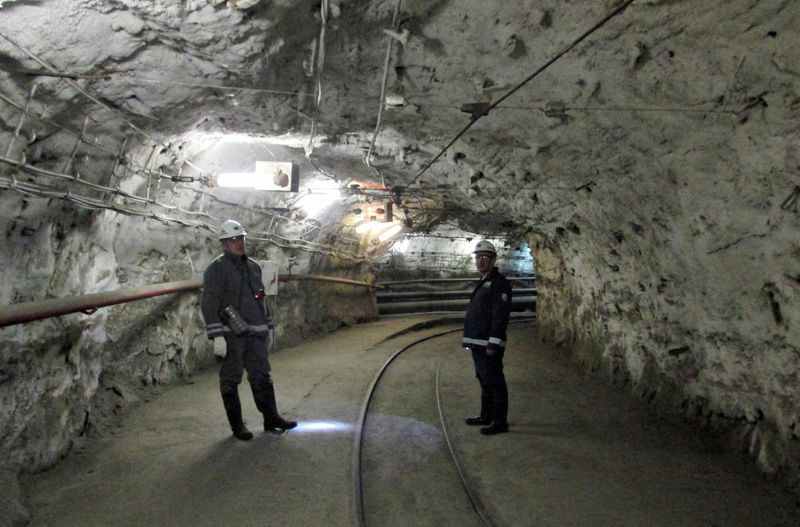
<point>580,452</point>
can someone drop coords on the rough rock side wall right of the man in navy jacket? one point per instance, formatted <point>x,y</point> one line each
<point>693,324</point>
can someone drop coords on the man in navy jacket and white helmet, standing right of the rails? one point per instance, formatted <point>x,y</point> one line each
<point>485,335</point>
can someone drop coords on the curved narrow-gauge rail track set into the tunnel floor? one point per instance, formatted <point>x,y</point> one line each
<point>358,498</point>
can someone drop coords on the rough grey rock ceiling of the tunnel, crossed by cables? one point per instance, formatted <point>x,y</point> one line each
<point>661,84</point>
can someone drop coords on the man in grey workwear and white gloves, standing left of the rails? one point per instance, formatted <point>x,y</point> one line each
<point>234,308</point>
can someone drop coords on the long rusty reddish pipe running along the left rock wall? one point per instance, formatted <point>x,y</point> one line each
<point>87,304</point>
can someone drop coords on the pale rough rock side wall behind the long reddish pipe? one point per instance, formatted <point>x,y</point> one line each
<point>61,378</point>
